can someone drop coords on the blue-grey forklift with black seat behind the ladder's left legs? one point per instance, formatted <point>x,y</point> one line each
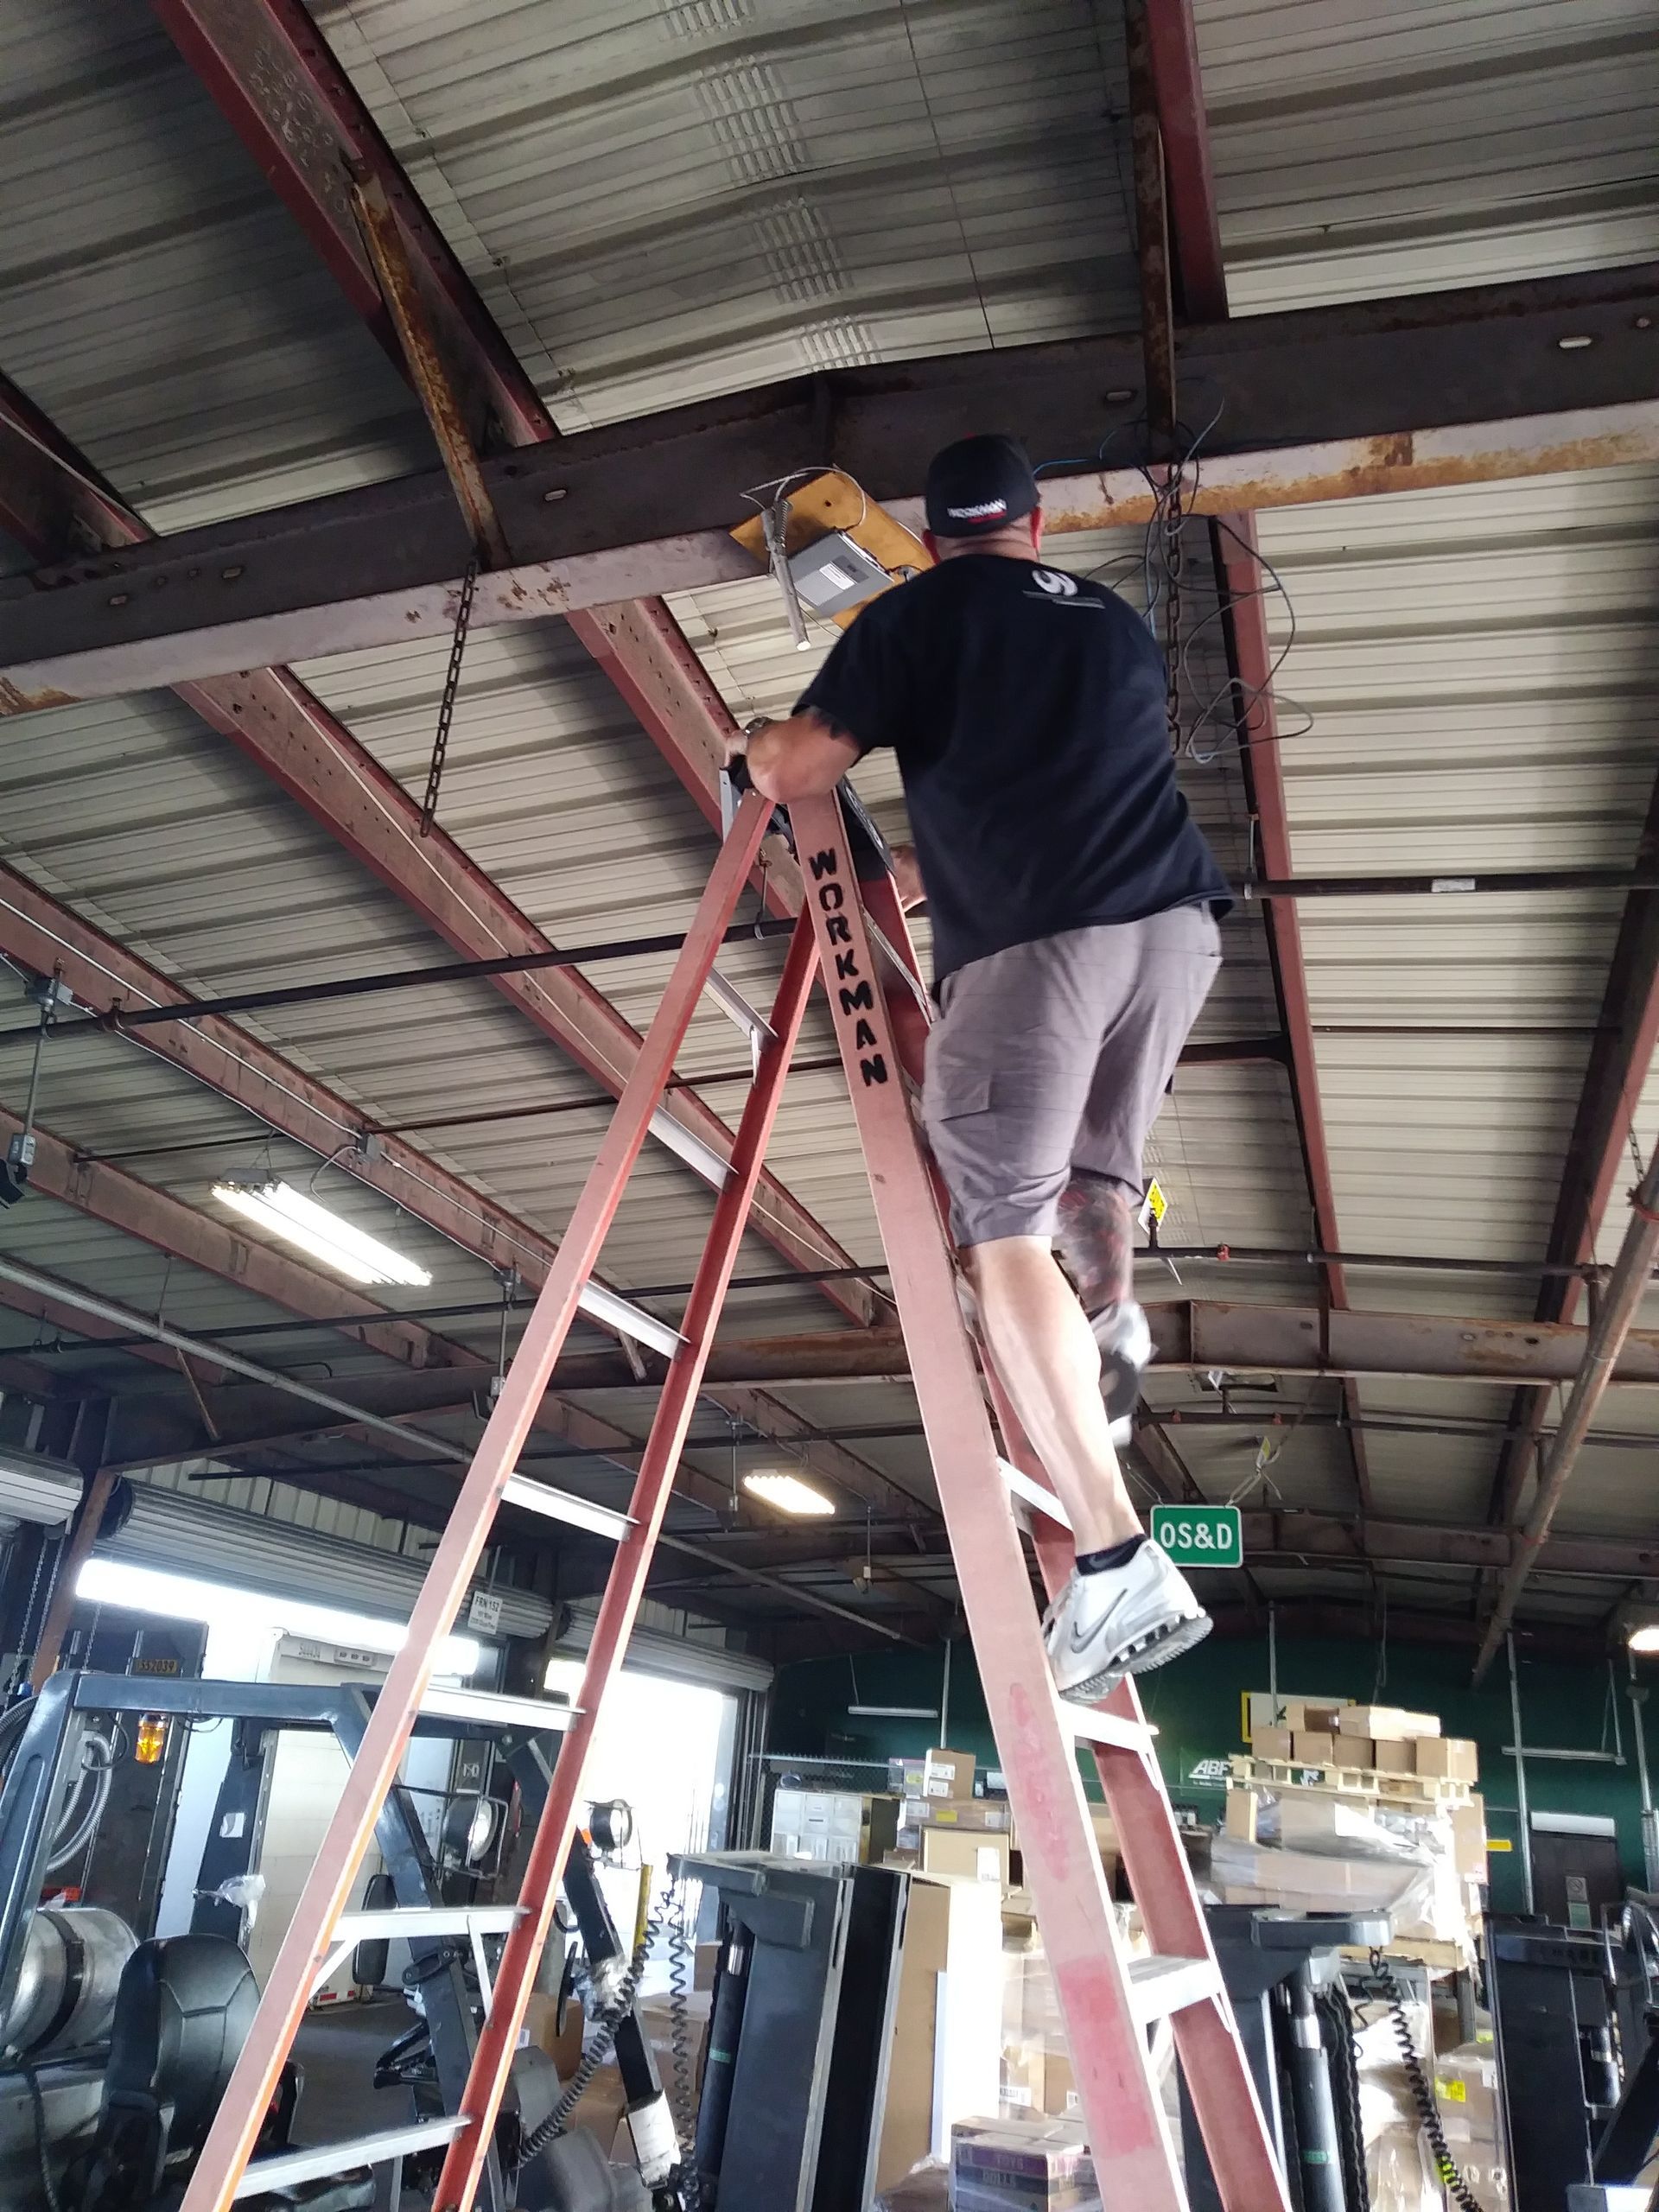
<point>116,2052</point>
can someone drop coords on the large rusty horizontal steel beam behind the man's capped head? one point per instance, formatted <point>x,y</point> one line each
<point>1395,395</point>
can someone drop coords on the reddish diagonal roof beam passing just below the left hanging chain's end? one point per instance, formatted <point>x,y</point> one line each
<point>275,722</point>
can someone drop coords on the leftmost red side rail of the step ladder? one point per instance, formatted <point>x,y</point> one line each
<point>322,1901</point>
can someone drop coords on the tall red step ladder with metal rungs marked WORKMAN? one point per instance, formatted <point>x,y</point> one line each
<point>1107,1999</point>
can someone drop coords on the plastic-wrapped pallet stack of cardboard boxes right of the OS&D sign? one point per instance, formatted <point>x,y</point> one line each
<point>1357,1806</point>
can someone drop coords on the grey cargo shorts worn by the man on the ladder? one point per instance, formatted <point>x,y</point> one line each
<point>1054,1056</point>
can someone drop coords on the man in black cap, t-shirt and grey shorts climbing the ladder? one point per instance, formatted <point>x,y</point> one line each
<point>1074,910</point>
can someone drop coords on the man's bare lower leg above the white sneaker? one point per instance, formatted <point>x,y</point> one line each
<point>1050,1366</point>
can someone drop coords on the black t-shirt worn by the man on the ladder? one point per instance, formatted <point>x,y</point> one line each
<point>1027,716</point>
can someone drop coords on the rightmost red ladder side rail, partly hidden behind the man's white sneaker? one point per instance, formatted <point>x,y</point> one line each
<point>1207,2036</point>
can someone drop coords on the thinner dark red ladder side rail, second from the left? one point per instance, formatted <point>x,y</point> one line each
<point>627,1583</point>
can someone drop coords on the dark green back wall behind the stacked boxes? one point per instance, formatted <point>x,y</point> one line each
<point>1196,1709</point>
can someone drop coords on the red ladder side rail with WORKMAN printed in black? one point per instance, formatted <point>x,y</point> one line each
<point>1063,1868</point>
